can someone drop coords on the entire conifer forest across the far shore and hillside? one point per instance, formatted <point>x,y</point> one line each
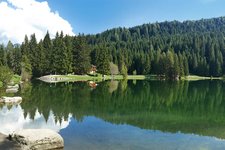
<point>167,49</point>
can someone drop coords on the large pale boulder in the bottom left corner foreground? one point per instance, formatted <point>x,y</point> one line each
<point>38,139</point>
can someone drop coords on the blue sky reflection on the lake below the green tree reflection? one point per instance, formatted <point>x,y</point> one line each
<point>96,134</point>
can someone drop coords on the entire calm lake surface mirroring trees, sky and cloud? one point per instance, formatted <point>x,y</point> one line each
<point>145,115</point>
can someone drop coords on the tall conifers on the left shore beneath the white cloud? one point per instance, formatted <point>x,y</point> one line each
<point>61,55</point>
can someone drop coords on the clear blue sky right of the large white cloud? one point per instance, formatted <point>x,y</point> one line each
<point>94,16</point>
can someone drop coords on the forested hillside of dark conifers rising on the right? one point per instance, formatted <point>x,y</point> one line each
<point>168,48</point>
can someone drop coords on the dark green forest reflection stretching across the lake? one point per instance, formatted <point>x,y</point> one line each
<point>189,107</point>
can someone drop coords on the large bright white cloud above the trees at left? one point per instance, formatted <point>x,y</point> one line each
<point>20,17</point>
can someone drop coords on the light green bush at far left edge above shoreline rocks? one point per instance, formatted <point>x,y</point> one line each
<point>5,75</point>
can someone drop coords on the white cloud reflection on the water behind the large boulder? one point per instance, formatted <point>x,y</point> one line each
<point>13,119</point>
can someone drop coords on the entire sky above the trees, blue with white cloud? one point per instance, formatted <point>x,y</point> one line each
<point>20,17</point>
